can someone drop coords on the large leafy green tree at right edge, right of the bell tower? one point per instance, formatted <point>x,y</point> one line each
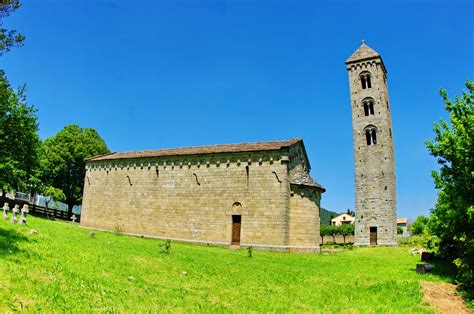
<point>452,219</point>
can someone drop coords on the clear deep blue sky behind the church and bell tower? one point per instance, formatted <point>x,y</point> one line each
<point>160,74</point>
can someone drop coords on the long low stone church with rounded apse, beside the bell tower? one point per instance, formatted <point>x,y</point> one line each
<point>258,194</point>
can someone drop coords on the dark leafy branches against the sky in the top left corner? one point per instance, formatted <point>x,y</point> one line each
<point>9,38</point>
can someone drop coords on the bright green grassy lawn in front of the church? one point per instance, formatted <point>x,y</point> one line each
<point>62,268</point>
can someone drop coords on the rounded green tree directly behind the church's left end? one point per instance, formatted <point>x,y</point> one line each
<point>64,157</point>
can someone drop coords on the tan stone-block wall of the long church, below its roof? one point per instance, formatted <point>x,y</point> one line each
<point>193,199</point>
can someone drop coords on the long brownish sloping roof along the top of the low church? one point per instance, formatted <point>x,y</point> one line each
<point>200,150</point>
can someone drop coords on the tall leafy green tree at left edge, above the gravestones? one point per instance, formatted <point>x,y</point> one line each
<point>19,141</point>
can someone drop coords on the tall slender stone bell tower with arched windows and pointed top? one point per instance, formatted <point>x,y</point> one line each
<point>375,191</point>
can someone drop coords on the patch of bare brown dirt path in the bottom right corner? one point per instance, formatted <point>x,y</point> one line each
<point>443,297</point>
